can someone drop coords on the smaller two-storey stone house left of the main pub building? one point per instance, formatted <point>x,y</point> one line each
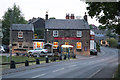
<point>22,35</point>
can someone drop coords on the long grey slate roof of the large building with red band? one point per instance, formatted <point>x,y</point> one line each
<point>66,24</point>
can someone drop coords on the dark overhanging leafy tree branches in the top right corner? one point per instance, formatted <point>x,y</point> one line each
<point>107,13</point>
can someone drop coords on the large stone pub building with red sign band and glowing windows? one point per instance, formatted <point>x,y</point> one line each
<point>73,34</point>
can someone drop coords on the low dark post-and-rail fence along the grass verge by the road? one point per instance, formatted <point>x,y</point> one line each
<point>13,63</point>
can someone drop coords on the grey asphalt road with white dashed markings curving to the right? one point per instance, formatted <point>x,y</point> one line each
<point>101,66</point>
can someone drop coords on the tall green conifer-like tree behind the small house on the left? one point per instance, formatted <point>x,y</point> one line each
<point>13,15</point>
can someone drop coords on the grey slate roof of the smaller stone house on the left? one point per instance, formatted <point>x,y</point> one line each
<point>28,27</point>
